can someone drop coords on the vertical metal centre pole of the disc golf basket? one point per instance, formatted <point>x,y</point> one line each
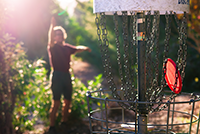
<point>142,119</point>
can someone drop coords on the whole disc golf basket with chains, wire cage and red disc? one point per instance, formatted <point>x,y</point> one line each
<point>151,79</point>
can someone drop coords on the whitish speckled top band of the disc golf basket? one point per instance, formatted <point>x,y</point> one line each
<point>111,6</point>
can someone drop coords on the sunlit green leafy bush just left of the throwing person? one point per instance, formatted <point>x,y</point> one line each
<point>34,100</point>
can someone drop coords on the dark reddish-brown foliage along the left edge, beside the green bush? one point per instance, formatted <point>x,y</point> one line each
<point>10,85</point>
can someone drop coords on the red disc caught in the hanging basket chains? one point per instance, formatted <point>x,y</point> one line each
<point>170,76</point>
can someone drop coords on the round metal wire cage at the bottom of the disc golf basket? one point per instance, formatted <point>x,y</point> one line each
<point>180,117</point>
